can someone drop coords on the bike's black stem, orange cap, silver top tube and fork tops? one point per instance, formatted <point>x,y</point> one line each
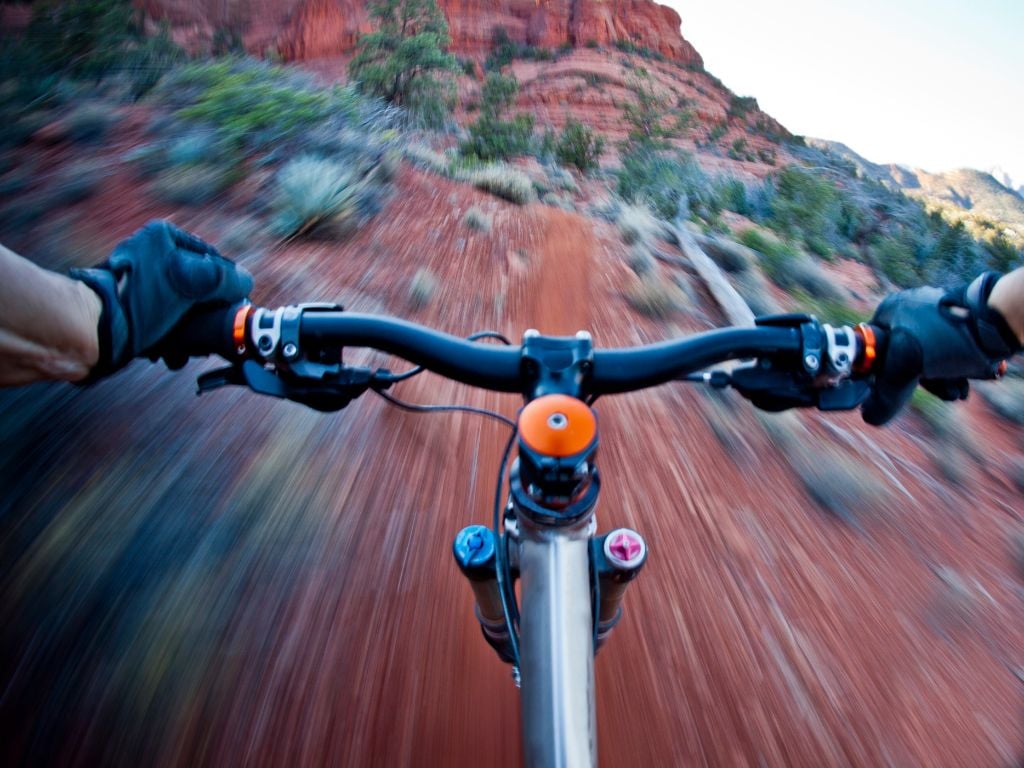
<point>550,525</point>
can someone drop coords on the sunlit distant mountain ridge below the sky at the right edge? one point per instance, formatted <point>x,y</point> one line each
<point>973,193</point>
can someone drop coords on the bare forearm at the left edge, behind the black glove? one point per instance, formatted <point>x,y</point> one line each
<point>48,324</point>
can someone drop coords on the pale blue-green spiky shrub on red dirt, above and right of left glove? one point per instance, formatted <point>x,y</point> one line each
<point>316,197</point>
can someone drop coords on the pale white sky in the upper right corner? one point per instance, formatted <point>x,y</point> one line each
<point>936,84</point>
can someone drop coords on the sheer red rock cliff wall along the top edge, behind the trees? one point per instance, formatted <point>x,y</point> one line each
<point>311,29</point>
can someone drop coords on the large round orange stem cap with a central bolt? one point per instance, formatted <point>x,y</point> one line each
<point>558,425</point>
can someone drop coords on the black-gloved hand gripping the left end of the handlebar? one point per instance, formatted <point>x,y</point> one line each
<point>148,285</point>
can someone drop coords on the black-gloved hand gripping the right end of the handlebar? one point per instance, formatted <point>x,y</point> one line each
<point>938,339</point>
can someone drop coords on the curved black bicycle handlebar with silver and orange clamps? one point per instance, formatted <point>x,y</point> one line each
<point>305,344</point>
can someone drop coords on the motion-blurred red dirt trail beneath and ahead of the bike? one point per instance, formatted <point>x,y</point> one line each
<point>235,581</point>
